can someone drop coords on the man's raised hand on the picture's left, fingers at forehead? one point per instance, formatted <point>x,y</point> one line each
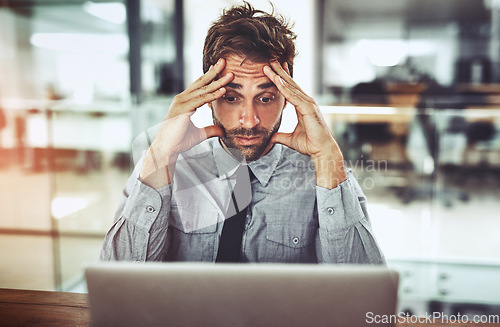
<point>177,132</point>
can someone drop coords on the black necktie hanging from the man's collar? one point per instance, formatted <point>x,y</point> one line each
<point>232,232</point>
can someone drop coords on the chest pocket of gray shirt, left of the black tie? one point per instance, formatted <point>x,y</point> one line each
<point>192,233</point>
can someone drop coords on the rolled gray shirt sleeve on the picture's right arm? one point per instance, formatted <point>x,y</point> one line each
<point>345,232</point>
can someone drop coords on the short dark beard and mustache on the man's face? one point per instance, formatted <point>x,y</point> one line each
<point>249,152</point>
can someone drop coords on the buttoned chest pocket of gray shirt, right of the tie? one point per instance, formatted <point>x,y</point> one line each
<point>291,242</point>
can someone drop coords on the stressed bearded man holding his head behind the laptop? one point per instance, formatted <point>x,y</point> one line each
<point>239,191</point>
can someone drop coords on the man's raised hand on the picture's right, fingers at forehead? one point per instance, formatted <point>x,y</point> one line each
<point>311,136</point>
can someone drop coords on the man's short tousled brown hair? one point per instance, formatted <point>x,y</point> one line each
<point>253,34</point>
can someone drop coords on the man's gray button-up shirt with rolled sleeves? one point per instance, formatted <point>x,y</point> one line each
<point>289,219</point>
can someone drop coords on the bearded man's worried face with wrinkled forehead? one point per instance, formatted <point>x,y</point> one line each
<point>250,111</point>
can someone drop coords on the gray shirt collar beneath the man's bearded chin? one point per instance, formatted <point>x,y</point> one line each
<point>262,168</point>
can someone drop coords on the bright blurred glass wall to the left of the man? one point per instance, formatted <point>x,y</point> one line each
<point>67,125</point>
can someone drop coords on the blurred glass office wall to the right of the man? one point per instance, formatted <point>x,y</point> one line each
<point>412,89</point>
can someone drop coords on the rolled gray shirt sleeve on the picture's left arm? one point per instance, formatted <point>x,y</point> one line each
<point>141,222</point>
